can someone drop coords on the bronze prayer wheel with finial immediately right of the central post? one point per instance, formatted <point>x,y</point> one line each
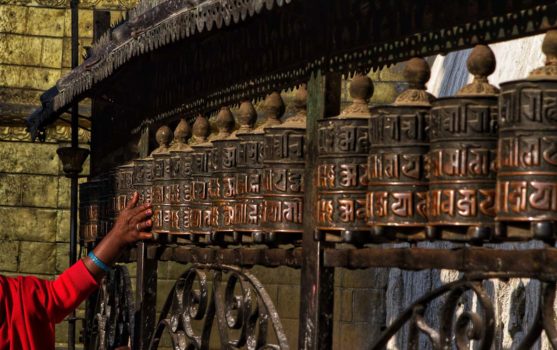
<point>343,147</point>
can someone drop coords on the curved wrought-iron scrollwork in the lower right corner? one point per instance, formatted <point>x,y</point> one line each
<point>459,328</point>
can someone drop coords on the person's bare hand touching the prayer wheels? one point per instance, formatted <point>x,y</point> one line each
<point>132,224</point>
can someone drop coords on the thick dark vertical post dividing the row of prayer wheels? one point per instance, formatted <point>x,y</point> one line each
<point>317,281</point>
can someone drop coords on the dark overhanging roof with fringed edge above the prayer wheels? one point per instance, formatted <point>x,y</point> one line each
<point>186,56</point>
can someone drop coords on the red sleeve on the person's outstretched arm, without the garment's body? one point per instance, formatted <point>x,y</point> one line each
<point>60,297</point>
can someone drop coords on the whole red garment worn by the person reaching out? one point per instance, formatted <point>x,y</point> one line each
<point>29,307</point>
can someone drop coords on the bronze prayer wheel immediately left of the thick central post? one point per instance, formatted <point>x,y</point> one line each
<point>283,189</point>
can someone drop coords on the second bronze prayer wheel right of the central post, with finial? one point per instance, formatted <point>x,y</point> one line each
<point>397,188</point>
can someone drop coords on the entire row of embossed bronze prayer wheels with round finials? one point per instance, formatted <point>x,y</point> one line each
<point>466,167</point>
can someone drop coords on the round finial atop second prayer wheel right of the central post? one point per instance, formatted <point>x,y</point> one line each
<point>416,73</point>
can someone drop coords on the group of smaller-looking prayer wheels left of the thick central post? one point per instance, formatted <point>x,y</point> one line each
<point>241,184</point>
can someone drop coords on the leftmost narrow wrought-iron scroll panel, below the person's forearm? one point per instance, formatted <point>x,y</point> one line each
<point>114,312</point>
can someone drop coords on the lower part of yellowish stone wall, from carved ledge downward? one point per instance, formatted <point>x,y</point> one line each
<point>34,206</point>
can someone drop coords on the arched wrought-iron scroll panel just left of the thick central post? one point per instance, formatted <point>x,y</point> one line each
<point>234,298</point>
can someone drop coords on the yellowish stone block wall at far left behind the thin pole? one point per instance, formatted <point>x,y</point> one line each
<point>35,51</point>
